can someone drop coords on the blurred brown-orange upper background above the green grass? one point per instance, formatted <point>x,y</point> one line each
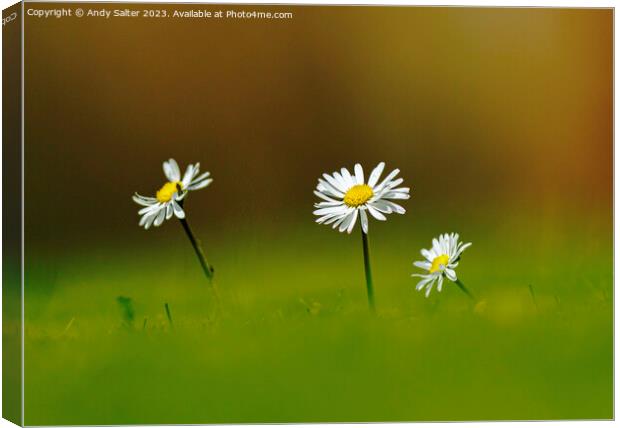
<point>489,112</point>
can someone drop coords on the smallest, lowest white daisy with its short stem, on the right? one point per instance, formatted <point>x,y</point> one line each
<point>441,261</point>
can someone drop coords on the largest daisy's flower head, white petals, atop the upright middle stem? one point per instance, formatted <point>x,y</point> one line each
<point>346,196</point>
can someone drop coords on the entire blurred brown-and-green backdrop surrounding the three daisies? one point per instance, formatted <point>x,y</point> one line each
<point>499,119</point>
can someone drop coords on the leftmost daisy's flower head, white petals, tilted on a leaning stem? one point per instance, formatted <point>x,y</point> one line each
<point>168,199</point>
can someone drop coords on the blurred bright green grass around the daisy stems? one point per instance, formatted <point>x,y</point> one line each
<point>296,342</point>
